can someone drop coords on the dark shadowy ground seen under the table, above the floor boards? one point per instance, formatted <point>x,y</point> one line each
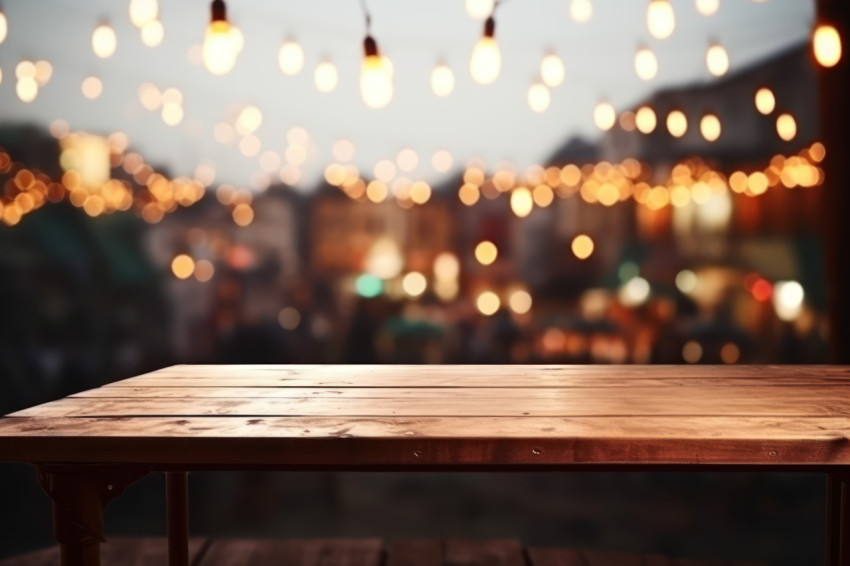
<point>775,518</point>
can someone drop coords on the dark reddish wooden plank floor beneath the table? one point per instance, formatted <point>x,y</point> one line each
<point>368,552</point>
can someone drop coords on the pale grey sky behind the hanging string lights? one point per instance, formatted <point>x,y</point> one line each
<point>491,122</point>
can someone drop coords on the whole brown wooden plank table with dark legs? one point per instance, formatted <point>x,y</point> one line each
<point>88,447</point>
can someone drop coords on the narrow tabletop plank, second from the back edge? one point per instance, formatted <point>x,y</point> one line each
<point>712,391</point>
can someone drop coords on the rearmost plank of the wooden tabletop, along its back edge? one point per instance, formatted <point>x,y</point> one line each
<point>472,375</point>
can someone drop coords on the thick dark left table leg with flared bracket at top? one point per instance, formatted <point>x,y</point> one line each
<point>79,494</point>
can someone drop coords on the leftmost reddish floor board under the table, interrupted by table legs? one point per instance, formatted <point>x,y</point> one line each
<point>118,551</point>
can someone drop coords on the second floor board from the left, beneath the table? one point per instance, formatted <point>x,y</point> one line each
<point>340,552</point>
